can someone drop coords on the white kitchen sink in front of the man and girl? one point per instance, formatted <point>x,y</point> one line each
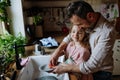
<point>36,66</point>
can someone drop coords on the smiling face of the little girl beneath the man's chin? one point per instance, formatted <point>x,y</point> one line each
<point>77,33</point>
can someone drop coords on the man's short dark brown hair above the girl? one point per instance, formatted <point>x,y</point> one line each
<point>79,8</point>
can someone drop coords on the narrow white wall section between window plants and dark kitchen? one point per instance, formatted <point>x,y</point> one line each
<point>16,15</point>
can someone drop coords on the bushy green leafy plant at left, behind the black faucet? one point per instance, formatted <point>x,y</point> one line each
<point>7,52</point>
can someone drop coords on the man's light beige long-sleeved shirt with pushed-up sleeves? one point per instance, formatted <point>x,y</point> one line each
<point>101,40</point>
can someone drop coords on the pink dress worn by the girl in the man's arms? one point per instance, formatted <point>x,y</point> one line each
<point>78,54</point>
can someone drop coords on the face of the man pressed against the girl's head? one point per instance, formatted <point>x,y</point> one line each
<point>83,23</point>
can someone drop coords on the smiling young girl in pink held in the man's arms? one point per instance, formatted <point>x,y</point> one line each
<point>78,50</point>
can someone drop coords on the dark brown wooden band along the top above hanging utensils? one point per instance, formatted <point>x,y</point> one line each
<point>39,3</point>
